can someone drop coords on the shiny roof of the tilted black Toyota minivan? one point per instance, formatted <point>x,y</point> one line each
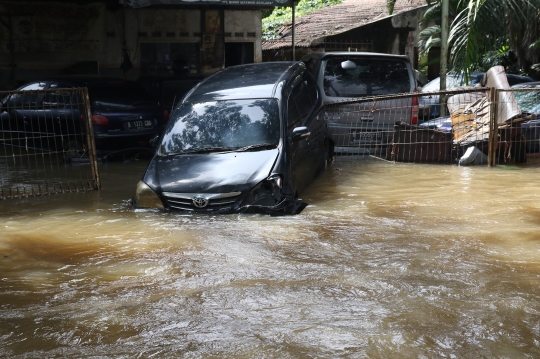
<point>249,81</point>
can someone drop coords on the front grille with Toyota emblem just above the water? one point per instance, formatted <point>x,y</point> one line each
<point>215,201</point>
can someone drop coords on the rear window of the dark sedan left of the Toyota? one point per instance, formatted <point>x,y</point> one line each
<point>120,97</point>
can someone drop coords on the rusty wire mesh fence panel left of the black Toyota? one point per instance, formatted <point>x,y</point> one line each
<point>46,143</point>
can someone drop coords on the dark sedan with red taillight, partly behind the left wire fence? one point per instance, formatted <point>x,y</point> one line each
<point>123,115</point>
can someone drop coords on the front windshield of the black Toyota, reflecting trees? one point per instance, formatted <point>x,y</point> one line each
<point>222,125</point>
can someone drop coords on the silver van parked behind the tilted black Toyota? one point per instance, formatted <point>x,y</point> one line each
<point>364,127</point>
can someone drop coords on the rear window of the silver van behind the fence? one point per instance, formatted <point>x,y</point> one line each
<point>367,77</point>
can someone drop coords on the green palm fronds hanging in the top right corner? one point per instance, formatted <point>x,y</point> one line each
<point>485,32</point>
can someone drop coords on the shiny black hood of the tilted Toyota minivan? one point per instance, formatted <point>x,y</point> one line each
<point>210,173</point>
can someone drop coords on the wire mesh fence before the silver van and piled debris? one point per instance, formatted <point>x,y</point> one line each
<point>479,125</point>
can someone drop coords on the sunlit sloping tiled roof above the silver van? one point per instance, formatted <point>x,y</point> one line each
<point>333,20</point>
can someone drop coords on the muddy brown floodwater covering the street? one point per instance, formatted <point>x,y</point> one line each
<point>387,261</point>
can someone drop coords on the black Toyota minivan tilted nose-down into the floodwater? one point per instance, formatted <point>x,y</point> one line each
<point>248,138</point>
